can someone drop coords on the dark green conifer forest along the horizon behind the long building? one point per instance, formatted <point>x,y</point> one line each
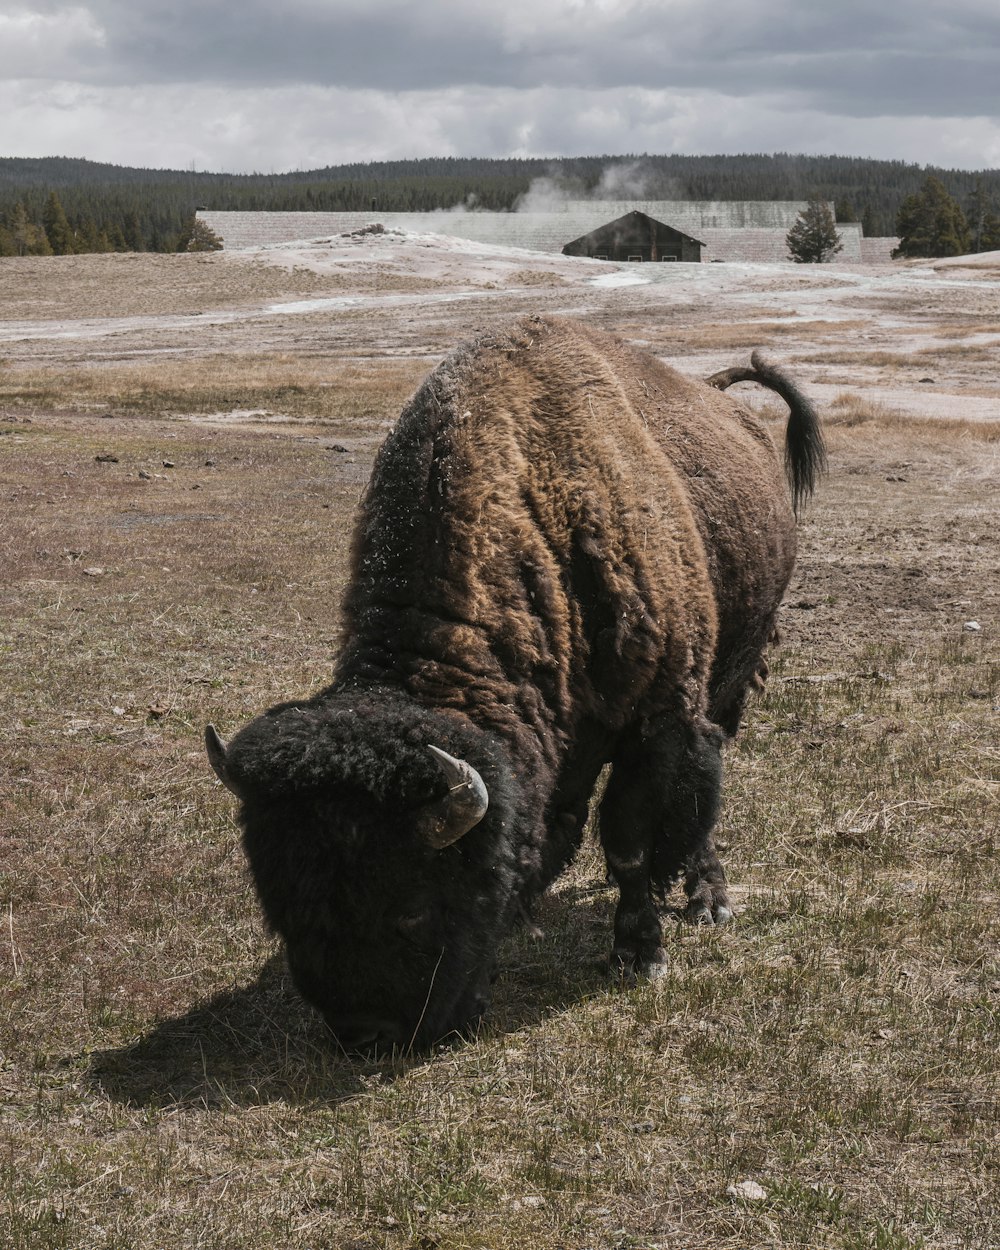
<point>61,206</point>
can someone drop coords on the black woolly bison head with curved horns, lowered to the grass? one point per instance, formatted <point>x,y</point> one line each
<point>381,856</point>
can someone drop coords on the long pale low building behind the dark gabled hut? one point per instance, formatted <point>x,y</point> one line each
<point>727,231</point>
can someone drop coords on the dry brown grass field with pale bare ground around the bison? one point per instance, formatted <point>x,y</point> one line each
<point>183,443</point>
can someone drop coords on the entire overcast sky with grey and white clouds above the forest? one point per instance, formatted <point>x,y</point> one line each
<point>254,86</point>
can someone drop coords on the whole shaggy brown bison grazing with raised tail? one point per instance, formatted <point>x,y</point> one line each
<point>569,556</point>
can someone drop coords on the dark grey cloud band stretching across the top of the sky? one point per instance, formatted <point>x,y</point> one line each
<point>848,58</point>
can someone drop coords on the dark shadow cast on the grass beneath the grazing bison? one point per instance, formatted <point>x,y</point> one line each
<point>261,1043</point>
